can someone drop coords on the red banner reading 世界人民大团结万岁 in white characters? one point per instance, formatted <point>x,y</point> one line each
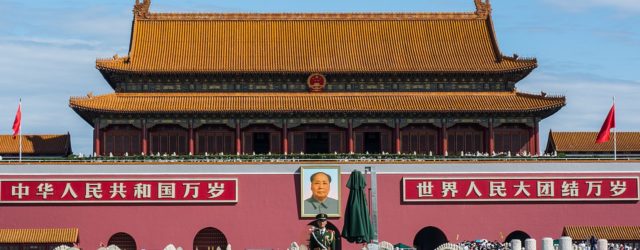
<point>497,189</point>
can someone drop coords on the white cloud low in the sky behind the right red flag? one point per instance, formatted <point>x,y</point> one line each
<point>589,98</point>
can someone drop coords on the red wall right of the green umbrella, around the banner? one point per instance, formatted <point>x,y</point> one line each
<point>493,221</point>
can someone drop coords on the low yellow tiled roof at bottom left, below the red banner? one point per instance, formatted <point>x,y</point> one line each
<point>52,235</point>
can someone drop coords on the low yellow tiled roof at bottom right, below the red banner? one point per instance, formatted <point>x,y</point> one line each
<point>630,233</point>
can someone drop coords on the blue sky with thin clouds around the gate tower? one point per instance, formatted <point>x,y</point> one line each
<point>587,50</point>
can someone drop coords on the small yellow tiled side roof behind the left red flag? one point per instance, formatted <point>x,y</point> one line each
<point>36,145</point>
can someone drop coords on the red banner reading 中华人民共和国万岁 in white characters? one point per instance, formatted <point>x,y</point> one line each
<point>204,190</point>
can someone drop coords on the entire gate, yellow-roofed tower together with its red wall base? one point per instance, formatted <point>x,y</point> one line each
<point>203,143</point>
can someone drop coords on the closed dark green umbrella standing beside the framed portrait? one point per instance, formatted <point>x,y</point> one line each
<point>357,223</point>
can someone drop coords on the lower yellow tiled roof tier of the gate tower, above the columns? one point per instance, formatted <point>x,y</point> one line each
<point>316,102</point>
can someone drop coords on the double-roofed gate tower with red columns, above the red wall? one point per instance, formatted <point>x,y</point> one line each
<point>426,83</point>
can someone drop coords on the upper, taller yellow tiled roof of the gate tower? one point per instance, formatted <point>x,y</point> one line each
<point>314,42</point>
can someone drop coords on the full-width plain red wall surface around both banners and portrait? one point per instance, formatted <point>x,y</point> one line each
<point>266,215</point>
